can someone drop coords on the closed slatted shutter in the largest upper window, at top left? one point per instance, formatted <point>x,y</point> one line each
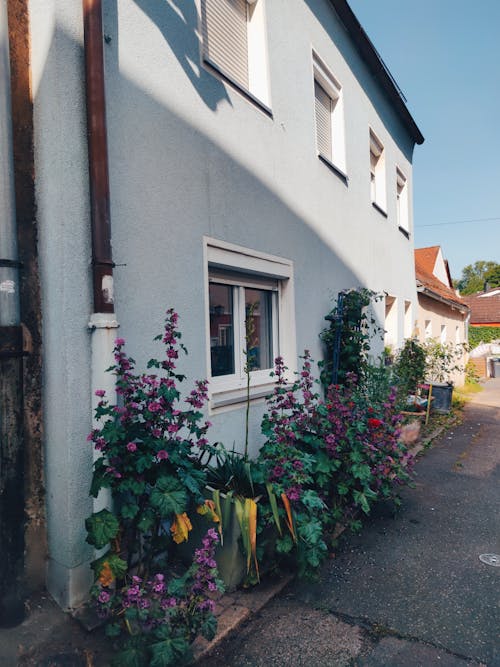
<point>225,39</point>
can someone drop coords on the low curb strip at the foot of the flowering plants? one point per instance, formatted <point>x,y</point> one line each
<point>235,608</point>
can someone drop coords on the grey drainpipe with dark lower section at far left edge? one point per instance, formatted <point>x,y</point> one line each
<point>11,365</point>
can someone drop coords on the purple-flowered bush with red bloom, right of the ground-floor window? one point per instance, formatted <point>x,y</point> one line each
<point>326,459</point>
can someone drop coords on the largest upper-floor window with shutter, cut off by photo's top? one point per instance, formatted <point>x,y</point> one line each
<point>234,43</point>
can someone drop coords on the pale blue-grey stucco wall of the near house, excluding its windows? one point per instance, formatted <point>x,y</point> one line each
<point>190,157</point>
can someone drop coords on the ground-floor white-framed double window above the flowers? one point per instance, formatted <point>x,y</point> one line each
<point>244,284</point>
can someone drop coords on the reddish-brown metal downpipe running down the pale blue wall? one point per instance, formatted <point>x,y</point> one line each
<point>102,263</point>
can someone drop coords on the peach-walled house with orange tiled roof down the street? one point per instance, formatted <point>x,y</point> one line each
<point>442,314</point>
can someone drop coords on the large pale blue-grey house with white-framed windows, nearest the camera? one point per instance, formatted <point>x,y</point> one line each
<point>257,152</point>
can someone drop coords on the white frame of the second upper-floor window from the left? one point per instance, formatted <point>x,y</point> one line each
<point>334,152</point>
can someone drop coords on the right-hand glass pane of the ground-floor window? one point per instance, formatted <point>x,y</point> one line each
<point>258,310</point>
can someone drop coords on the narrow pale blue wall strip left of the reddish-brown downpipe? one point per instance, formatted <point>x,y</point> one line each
<point>64,246</point>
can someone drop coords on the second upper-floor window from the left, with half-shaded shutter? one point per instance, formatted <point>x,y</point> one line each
<point>328,104</point>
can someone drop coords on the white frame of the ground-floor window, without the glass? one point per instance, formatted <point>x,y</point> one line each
<point>242,267</point>
